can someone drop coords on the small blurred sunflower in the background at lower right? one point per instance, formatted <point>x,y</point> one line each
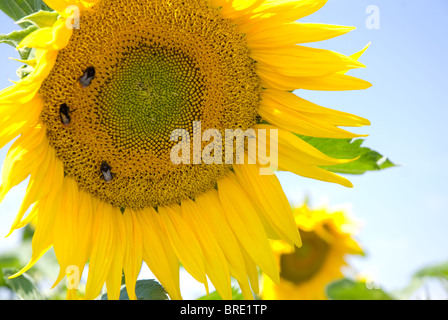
<point>328,237</point>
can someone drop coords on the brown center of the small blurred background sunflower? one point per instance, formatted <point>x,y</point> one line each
<point>304,262</point>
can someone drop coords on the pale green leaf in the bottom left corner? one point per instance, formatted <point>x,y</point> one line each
<point>23,286</point>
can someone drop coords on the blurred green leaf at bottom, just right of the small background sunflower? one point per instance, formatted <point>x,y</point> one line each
<point>346,289</point>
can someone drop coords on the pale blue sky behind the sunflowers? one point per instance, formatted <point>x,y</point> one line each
<point>404,210</point>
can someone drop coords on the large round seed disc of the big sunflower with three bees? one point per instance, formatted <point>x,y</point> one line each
<point>133,73</point>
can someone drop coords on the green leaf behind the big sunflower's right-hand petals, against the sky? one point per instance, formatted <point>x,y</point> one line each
<point>369,160</point>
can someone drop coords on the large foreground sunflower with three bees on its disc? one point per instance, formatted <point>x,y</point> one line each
<point>94,120</point>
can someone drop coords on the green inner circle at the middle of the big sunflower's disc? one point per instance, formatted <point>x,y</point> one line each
<point>153,92</point>
